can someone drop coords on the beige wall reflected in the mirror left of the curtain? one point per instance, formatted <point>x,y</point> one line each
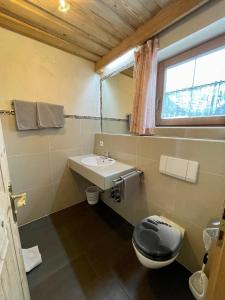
<point>117,96</point>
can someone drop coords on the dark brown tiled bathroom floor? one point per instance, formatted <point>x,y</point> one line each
<point>87,254</point>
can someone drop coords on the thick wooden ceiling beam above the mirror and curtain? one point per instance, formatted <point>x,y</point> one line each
<point>167,16</point>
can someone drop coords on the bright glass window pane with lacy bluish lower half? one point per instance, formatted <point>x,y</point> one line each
<point>196,88</point>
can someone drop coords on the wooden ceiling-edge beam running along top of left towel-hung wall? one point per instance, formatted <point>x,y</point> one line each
<point>12,24</point>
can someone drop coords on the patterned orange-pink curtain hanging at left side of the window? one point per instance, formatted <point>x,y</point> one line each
<point>145,74</point>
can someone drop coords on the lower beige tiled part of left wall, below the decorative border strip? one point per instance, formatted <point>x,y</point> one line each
<point>38,164</point>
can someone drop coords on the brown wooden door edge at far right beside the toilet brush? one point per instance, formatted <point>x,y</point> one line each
<point>216,287</point>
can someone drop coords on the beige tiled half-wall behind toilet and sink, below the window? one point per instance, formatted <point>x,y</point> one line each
<point>190,205</point>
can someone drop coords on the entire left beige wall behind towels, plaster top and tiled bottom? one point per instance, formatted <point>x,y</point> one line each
<point>38,159</point>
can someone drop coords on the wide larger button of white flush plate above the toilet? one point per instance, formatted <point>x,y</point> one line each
<point>176,167</point>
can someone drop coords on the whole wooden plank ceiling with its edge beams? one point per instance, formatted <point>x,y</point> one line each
<point>97,30</point>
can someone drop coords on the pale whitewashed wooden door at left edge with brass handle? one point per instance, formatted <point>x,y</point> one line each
<point>13,281</point>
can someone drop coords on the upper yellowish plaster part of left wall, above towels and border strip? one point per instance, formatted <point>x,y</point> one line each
<point>34,71</point>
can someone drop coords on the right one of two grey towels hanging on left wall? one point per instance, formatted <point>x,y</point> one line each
<point>50,115</point>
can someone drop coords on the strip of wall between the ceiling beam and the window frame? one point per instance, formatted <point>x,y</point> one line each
<point>198,27</point>
